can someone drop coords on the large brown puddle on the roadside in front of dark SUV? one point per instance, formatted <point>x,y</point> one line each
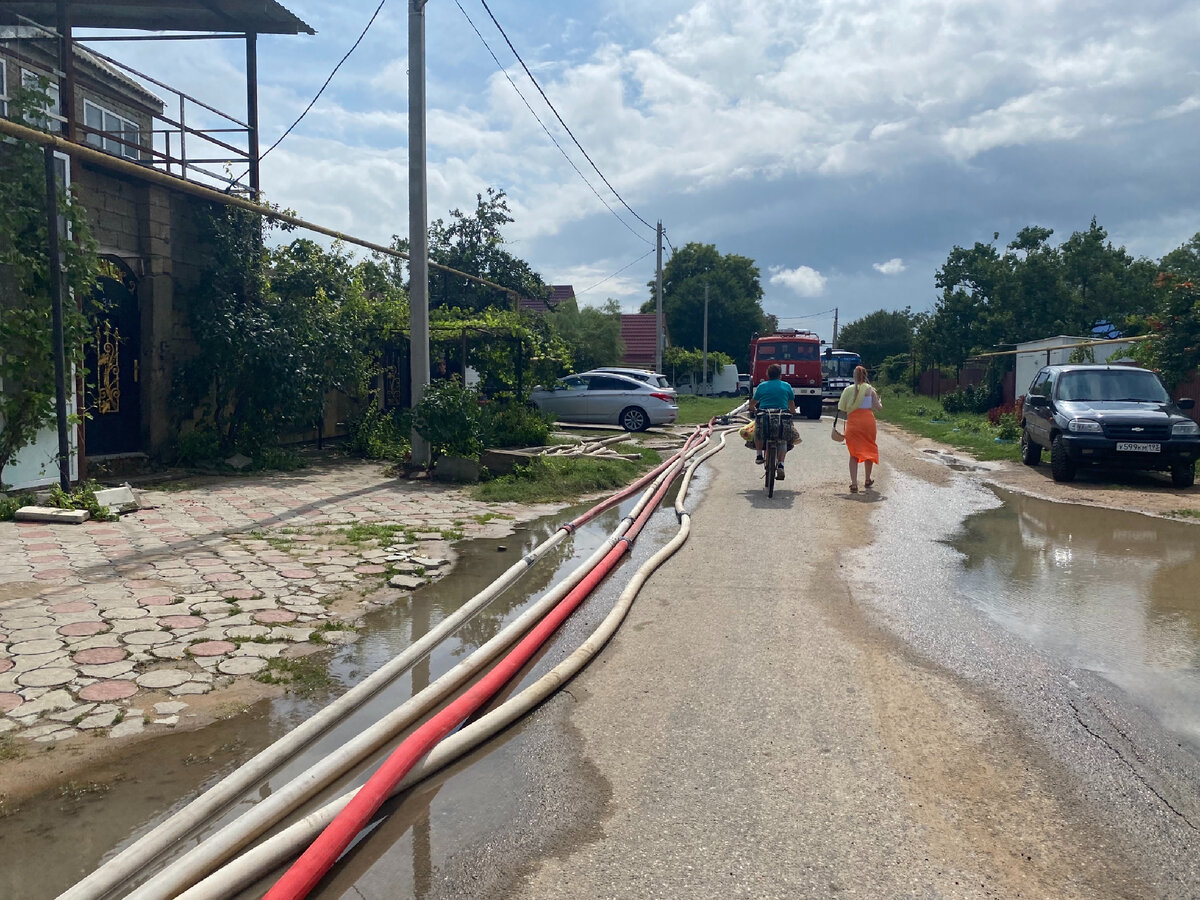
<point>1114,593</point>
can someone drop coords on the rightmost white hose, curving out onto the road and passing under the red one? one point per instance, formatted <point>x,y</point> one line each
<point>268,856</point>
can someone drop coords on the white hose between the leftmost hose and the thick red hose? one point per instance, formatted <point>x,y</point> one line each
<point>229,841</point>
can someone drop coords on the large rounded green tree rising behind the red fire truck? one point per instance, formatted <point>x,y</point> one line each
<point>735,301</point>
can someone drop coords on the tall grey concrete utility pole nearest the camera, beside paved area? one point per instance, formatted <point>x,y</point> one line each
<point>418,217</point>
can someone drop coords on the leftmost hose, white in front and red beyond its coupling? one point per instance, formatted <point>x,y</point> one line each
<point>134,860</point>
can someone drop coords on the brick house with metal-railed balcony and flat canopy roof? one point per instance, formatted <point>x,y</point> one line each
<point>143,230</point>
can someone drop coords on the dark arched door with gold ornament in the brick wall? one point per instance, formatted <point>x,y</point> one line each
<point>113,391</point>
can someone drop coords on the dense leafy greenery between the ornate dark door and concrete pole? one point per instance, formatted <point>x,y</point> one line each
<point>287,326</point>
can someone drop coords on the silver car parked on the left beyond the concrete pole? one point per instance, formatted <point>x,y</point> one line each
<point>607,399</point>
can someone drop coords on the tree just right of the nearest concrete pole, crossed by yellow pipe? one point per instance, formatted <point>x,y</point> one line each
<point>475,244</point>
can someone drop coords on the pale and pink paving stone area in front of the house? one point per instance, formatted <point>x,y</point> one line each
<point>206,586</point>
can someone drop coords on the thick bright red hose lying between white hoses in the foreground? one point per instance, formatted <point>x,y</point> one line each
<point>322,854</point>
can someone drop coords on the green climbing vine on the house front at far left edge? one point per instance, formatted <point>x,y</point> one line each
<point>27,339</point>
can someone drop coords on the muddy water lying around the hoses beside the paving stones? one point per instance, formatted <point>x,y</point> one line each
<point>107,808</point>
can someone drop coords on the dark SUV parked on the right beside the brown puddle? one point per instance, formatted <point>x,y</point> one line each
<point>1111,416</point>
